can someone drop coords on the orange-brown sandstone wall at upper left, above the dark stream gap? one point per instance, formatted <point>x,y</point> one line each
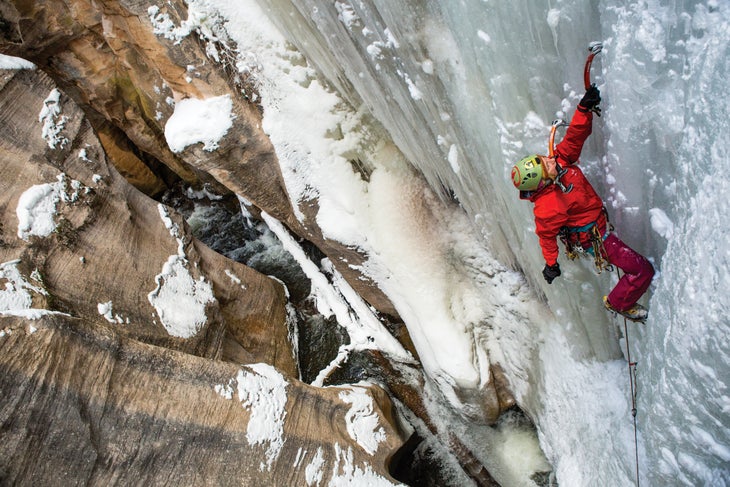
<point>105,55</point>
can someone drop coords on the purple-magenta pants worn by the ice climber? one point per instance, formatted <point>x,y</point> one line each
<point>637,273</point>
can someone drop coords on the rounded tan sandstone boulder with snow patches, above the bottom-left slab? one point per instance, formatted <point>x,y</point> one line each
<point>111,244</point>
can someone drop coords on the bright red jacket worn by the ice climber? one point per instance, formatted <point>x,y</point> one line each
<point>581,206</point>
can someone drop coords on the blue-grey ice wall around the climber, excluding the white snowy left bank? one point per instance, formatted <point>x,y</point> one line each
<point>466,88</point>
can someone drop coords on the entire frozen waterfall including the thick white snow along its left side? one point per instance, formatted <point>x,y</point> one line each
<point>465,88</point>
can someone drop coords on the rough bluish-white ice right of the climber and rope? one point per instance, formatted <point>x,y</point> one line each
<point>672,61</point>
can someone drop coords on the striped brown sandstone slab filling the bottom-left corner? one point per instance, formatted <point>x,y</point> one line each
<point>151,416</point>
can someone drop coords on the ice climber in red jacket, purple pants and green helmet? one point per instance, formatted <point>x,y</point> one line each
<point>567,207</point>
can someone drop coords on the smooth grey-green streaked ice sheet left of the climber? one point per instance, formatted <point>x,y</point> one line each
<point>465,89</point>
